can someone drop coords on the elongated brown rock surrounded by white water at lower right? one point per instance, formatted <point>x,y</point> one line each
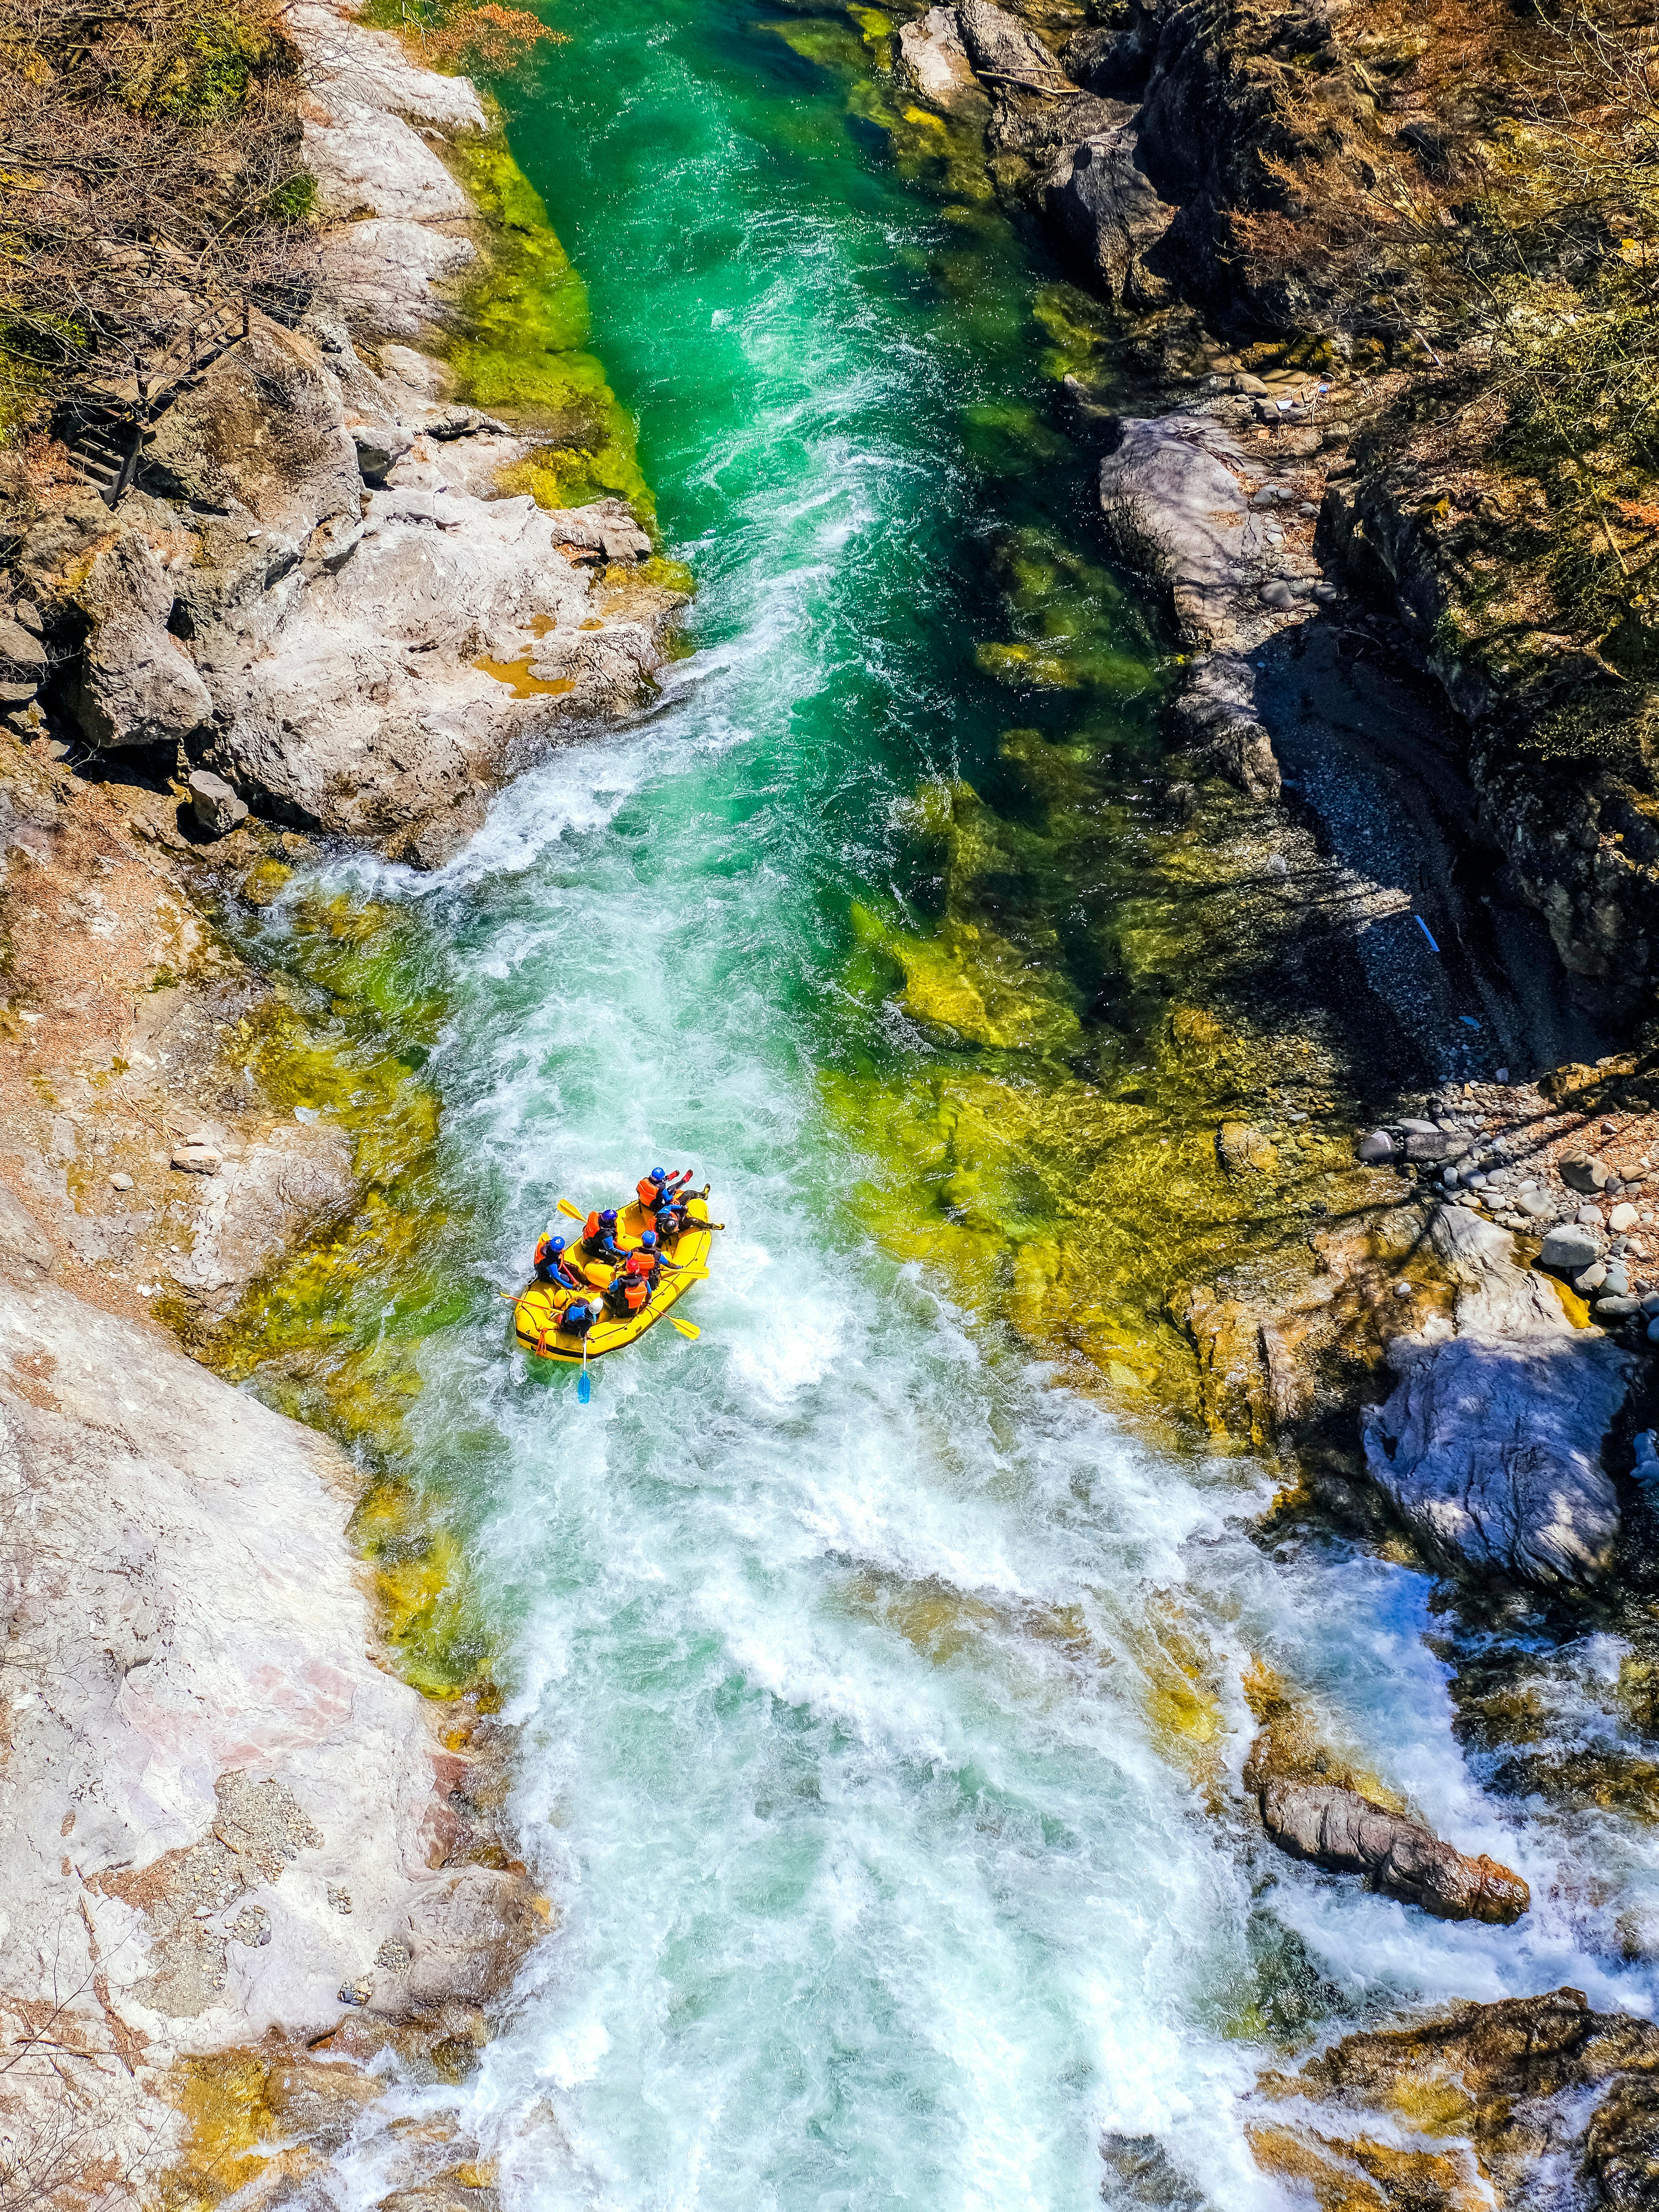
<point>1346,1833</point>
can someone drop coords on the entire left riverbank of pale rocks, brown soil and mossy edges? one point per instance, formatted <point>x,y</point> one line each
<point>335,601</point>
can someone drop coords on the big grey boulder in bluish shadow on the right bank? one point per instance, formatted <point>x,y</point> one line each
<point>1490,1446</point>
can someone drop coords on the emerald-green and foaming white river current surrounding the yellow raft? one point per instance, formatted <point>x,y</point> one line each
<point>881,1698</point>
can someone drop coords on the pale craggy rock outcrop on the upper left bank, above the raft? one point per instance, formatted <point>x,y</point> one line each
<point>317,589</point>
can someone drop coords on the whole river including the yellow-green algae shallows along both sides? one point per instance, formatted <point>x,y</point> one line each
<point>877,1676</point>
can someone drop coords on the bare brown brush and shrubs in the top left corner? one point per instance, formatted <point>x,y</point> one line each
<point>152,185</point>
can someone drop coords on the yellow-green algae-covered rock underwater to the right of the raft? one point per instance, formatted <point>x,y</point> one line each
<point>1063,1176</point>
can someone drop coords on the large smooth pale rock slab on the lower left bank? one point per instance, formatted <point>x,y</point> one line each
<point>227,1817</point>
